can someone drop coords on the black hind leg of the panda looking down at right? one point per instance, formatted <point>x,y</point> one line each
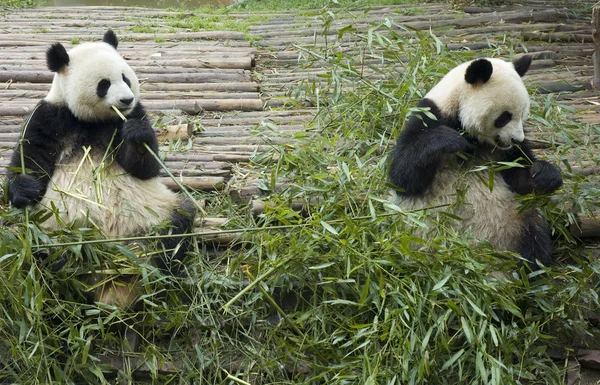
<point>536,240</point>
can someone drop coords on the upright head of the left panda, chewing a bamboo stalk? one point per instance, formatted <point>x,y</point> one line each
<point>91,78</point>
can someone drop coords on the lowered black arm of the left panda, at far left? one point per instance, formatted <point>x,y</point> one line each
<point>29,174</point>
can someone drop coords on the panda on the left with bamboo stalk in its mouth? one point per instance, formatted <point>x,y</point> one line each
<point>79,159</point>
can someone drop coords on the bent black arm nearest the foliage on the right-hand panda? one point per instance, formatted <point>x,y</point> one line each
<point>420,148</point>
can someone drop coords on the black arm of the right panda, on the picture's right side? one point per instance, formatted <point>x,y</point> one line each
<point>537,176</point>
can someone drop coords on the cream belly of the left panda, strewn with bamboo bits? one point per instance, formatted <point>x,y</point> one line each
<point>104,195</point>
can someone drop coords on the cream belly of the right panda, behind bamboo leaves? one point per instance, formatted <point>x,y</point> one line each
<point>486,215</point>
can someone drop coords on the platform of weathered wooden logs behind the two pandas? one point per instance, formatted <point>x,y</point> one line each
<point>220,99</point>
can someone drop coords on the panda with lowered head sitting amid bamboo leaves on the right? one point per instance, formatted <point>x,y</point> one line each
<point>474,117</point>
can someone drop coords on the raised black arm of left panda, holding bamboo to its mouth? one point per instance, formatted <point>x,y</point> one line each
<point>132,155</point>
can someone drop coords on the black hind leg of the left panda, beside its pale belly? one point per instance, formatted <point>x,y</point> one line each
<point>175,248</point>
